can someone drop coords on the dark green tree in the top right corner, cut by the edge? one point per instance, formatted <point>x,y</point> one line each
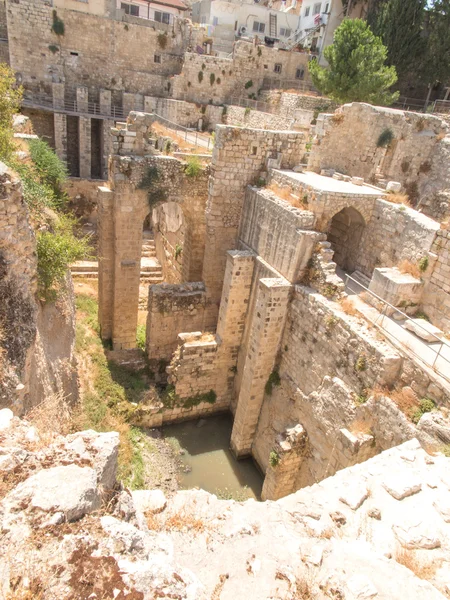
<point>436,67</point>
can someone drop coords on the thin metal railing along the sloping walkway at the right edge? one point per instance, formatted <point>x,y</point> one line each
<point>378,322</point>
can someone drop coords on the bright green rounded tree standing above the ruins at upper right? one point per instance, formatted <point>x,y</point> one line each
<point>357,70</point>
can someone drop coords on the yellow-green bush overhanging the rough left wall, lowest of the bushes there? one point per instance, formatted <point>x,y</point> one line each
<point>57,248</point>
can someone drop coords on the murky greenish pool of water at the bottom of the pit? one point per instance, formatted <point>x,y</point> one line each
<point>210,464</point>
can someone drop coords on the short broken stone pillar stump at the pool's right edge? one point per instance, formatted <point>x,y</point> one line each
<point>284,463</point>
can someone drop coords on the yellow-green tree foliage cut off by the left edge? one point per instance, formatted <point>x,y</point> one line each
<point>10,98</point>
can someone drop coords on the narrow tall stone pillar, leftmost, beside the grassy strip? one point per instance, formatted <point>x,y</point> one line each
<point>105,261</point>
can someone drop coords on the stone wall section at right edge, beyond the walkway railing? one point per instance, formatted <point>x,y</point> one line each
<point>436,295</point>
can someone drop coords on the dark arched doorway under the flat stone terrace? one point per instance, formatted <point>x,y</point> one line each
<point>344,234</point>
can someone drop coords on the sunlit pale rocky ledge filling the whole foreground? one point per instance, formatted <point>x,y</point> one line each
<point>69,531</point>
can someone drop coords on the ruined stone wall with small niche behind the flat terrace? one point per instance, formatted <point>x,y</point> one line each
<point>349,142</point>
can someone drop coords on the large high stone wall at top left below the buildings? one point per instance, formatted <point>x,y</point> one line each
<point>97,51</point>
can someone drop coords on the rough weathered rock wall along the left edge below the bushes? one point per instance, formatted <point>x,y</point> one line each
<point>36,339</point>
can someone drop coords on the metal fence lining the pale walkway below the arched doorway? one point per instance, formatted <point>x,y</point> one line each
<point>437,361</point>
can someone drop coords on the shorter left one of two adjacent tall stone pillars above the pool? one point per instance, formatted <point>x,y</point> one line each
<point>232,315</point>
